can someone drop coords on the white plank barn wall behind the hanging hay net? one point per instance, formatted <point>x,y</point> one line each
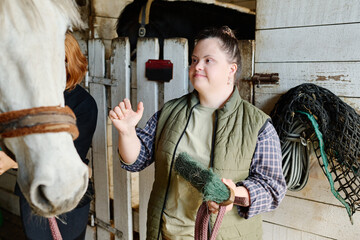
<point>314,42</point>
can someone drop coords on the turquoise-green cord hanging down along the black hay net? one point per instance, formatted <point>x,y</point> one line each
<point>326,164</point>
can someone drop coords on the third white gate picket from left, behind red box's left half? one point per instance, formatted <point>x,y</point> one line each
<point>147,92</point>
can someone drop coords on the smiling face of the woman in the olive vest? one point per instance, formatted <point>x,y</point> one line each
<point>210,69</point>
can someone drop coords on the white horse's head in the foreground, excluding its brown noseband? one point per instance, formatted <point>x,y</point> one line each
<point>51,174</point>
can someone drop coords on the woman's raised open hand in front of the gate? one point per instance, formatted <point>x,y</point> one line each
<point>124,118</point>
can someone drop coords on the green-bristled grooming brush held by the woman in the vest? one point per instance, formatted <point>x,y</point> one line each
<point>204,180</point>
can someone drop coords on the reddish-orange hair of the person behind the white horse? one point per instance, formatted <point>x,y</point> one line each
<point>75,62</point>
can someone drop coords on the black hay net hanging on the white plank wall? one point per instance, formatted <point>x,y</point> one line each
<point>333,128</point>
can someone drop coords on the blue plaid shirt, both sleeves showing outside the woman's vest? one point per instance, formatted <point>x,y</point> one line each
<point>265,183</point>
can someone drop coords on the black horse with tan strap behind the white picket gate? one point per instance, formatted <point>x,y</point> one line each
<point>169,19</point>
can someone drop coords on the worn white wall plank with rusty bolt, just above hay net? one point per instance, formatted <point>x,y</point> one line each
<point>342,78</point>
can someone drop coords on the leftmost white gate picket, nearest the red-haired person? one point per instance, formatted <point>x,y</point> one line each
<point>99,143</point>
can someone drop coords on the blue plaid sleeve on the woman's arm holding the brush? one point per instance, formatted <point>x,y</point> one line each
<point>265,183</point>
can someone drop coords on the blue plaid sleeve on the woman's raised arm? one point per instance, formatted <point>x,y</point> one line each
<point>147,139</point>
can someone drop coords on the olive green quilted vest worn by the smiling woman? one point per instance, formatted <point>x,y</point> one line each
<point>238,126</point>
